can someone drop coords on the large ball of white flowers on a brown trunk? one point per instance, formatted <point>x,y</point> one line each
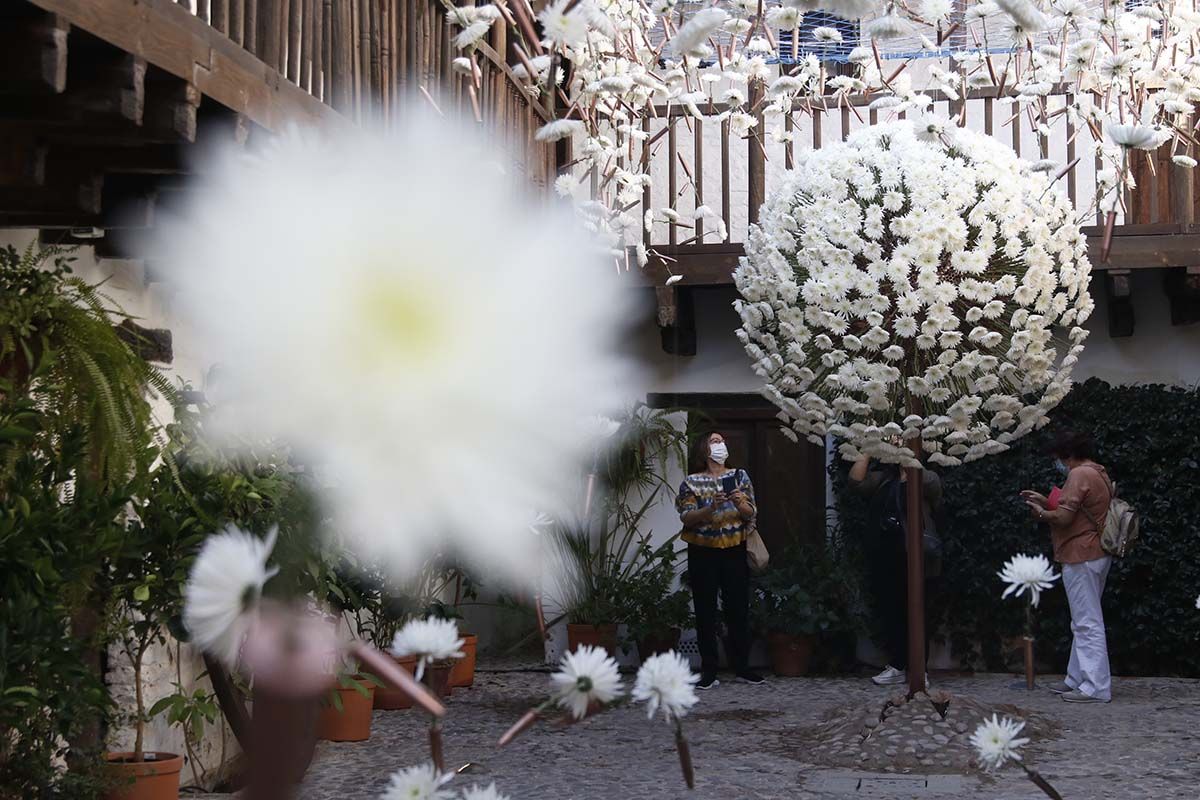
<point>917,293</point>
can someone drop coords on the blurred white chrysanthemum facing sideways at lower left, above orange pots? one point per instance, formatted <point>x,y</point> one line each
<point>224,590</point>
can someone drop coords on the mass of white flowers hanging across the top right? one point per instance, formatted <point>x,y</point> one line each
<point>1124,74</point>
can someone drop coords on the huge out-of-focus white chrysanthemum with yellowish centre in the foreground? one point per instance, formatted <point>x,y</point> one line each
<point>392,328</point>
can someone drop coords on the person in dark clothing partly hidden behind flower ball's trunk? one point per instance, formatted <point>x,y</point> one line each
<point>886,489</point>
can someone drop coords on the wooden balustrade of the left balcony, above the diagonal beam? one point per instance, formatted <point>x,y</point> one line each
<point>368,59</point>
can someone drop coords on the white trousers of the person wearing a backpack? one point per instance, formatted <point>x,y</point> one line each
<point>1089,669</point>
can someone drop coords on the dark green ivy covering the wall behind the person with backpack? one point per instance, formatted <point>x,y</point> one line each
<point>1149,438</point>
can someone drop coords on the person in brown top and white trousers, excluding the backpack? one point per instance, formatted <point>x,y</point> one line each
<point>1076,520</point>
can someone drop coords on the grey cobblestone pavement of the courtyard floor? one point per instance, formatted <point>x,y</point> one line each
<point>746,744</point>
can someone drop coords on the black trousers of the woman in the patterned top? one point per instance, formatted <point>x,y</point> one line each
<point>721,572</point>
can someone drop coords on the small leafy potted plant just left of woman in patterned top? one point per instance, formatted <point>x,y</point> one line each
<point>656,610</point>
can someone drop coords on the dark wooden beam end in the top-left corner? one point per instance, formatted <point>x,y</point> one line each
<point>33,51</point>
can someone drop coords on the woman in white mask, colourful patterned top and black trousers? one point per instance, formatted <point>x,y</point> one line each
<point>716,506</point>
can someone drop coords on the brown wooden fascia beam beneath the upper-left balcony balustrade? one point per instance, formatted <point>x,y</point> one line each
<point>175,41</point>
